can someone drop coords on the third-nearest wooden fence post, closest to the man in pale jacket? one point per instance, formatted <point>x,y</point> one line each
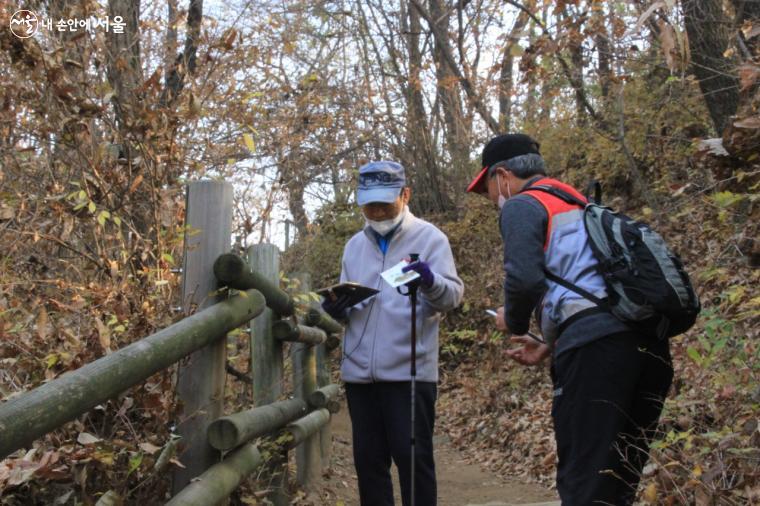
<point>308,465</point>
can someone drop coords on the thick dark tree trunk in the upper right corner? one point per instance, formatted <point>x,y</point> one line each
<point>708,29</point>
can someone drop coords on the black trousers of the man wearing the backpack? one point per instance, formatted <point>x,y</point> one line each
<point>607,401</point>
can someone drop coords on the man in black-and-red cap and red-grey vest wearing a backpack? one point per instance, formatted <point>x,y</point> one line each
<point>607,292</point>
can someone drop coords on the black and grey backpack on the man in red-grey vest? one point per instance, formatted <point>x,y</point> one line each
<point>647,285</point>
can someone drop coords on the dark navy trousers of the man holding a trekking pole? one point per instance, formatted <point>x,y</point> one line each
<point>381,426</point>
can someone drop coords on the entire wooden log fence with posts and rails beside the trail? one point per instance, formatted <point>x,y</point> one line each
<point>301,422</point>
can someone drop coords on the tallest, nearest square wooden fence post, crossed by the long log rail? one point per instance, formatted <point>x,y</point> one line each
<point>200,383</point>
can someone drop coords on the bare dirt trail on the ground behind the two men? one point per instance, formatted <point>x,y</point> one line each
<point>459,482</point>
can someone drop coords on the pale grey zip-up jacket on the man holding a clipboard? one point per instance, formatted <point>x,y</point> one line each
<point>377,344</point>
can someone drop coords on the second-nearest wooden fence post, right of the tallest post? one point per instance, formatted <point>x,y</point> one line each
<point>267,363</point>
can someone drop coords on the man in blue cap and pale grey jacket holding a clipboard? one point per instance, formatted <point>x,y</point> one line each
<point>376,348</point>
